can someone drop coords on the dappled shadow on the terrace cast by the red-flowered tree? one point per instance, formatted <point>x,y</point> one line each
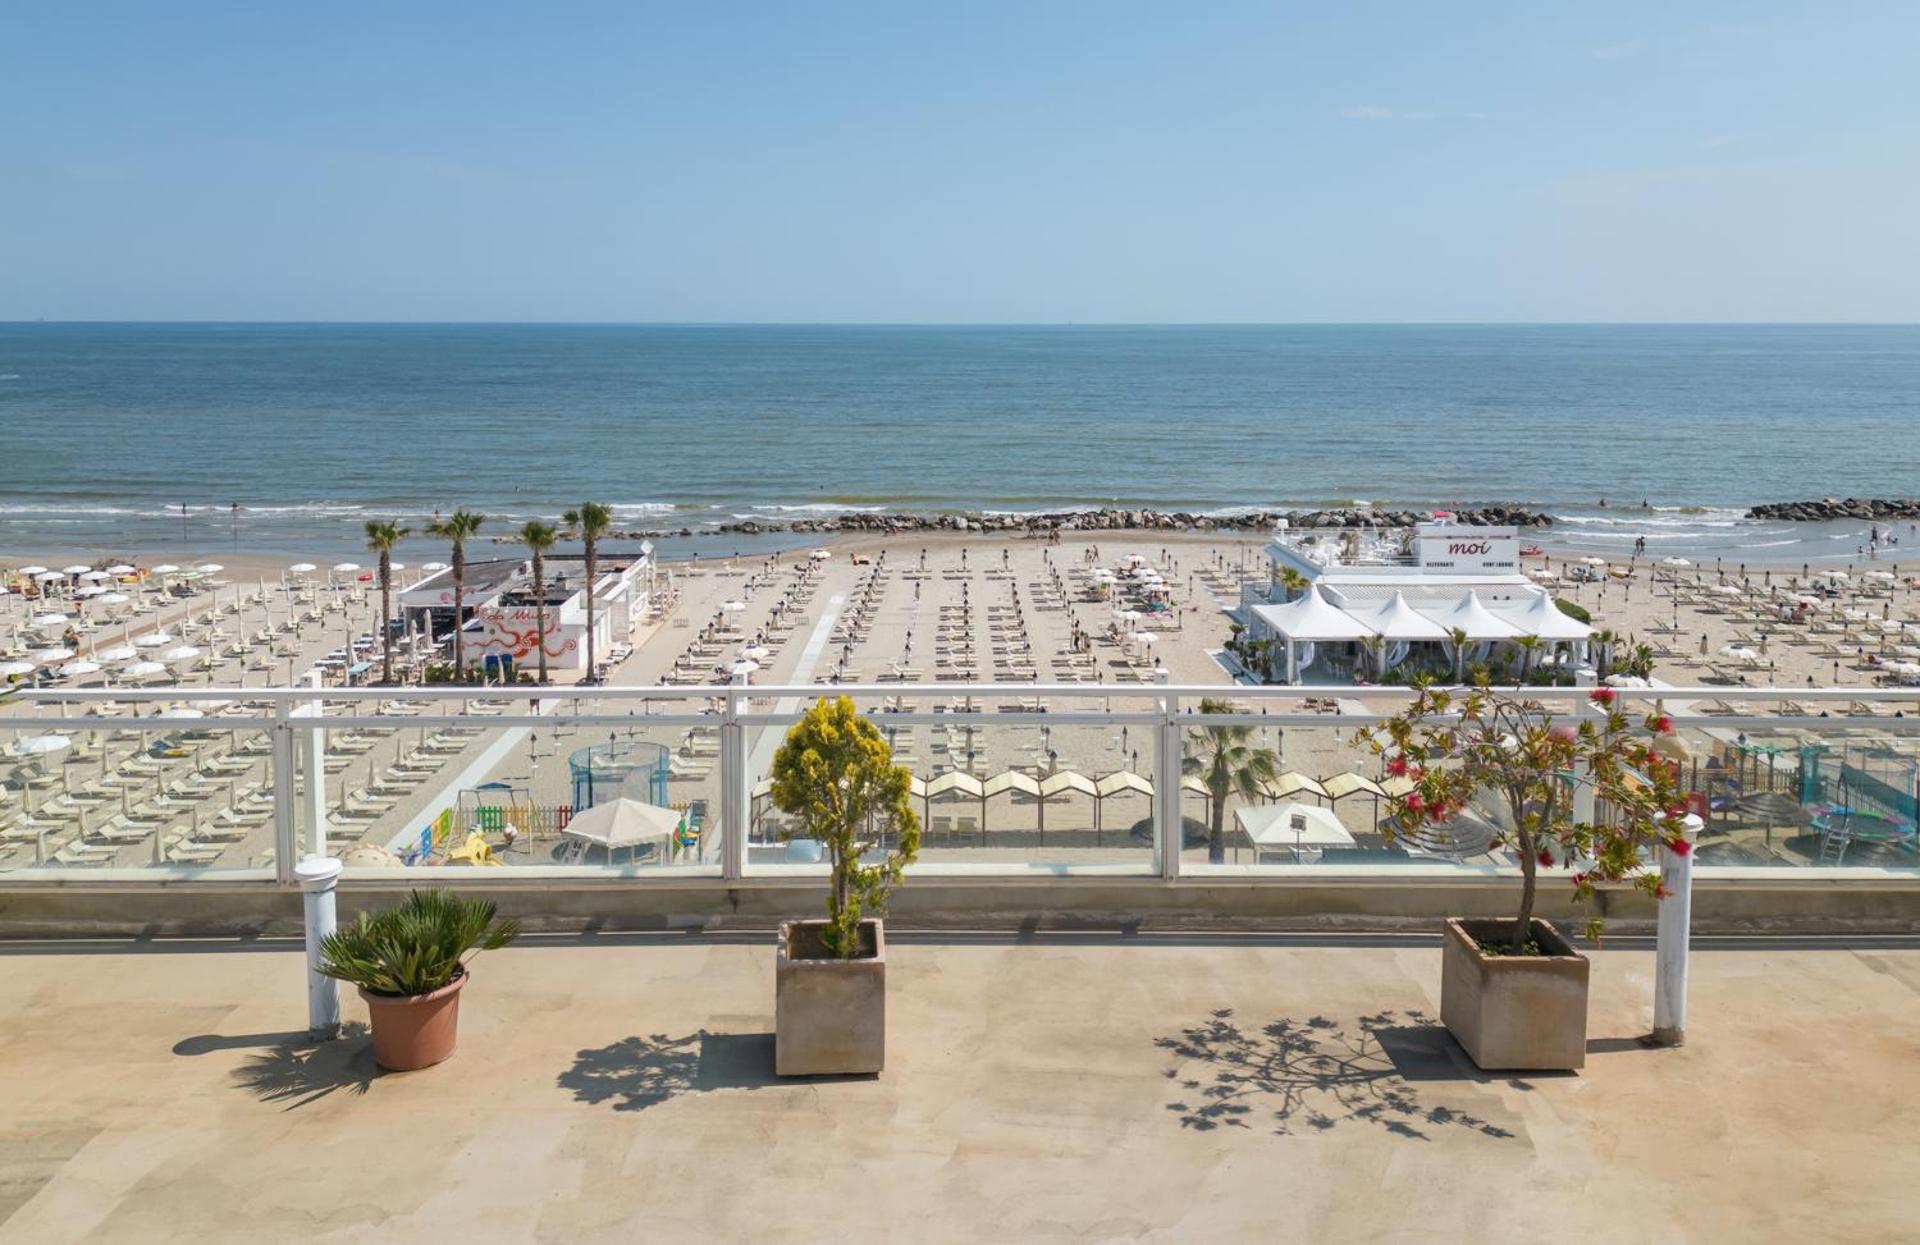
<point>1316,1075</point>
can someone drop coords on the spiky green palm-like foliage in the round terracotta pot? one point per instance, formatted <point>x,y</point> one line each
<point>418,946</point>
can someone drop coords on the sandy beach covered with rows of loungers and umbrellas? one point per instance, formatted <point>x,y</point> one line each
<point>882,612</point>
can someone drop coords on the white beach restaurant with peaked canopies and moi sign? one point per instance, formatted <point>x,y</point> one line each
<point>1376,600</point>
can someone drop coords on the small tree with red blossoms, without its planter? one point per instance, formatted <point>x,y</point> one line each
<point>1458,746</point>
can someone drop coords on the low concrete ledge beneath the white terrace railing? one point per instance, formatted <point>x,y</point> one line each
<point>1787,904</point>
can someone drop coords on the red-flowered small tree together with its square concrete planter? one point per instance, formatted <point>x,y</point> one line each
<point>1514,990</point>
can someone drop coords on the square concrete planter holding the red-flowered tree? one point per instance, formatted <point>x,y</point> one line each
<point>1514,1012</point>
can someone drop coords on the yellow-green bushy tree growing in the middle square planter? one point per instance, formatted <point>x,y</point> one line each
<point>836,775</point>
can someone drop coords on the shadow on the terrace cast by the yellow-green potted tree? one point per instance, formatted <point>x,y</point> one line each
<point>638,1073</point>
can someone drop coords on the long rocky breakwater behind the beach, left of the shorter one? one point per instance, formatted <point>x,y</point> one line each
<point>1111,520</point>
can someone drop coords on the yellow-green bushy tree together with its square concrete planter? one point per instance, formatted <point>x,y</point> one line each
<point>834,775</point>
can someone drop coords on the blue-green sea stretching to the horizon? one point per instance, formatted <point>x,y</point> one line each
<point>285,439</point>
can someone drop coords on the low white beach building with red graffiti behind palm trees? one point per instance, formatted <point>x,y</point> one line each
<point>502,610</point>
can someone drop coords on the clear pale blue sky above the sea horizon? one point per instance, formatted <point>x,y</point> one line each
<point>963,162</point>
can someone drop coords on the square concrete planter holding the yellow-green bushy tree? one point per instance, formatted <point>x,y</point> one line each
<point>830,1015</point>
